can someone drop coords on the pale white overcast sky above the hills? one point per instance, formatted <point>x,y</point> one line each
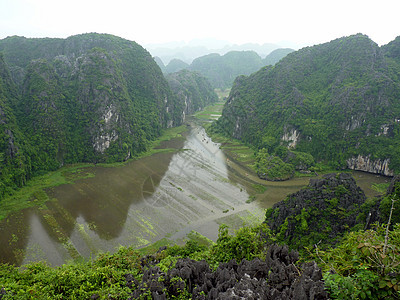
<point>302,22</point>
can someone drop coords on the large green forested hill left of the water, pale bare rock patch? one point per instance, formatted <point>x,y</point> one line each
<point>88,98</point>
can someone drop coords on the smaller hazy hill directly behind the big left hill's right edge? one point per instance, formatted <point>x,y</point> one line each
<point>192,90</point>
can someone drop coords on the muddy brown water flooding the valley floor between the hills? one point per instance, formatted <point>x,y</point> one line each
<point>164,195</point>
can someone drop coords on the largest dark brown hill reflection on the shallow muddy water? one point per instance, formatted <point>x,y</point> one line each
<point>104,201</point>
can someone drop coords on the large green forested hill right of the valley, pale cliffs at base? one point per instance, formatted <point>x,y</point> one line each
<point>338,101</point>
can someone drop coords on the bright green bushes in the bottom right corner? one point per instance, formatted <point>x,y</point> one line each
<point>362,267</point>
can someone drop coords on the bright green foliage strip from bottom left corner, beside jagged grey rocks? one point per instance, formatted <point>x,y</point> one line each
<point>105,275</point>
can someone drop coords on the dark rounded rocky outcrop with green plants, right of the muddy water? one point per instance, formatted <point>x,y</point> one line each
<point>321,212</point>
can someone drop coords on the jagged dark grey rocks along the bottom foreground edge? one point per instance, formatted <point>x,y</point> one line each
<point>275,278</point>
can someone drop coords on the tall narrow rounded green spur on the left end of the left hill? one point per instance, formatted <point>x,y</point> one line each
<point>41,115</point>
